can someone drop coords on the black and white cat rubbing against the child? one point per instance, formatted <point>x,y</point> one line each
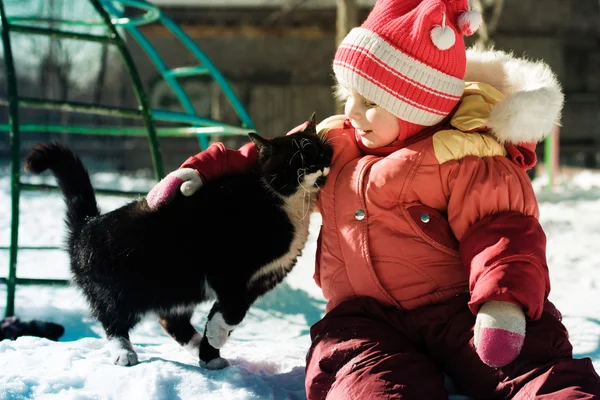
<point>236,238</point>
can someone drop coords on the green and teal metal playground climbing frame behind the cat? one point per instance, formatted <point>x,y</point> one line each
<point>111,17</point>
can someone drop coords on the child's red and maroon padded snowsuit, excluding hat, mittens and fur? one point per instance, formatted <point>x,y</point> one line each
<point>414,239</point>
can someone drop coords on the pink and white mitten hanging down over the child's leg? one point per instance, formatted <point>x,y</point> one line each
<point>499,333</point>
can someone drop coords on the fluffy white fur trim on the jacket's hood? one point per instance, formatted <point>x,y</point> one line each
<point>533,98</point>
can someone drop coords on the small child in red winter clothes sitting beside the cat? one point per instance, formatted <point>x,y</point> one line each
<point>430,256</point>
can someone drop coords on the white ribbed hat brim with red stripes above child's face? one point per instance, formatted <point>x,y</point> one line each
<point>404,86</point>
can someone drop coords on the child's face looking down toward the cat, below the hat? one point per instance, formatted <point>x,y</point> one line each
<point>376,126</point>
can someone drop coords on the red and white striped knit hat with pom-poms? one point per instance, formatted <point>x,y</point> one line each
<point>405,58</point>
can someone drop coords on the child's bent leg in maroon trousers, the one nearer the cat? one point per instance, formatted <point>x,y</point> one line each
<point>360,351</point>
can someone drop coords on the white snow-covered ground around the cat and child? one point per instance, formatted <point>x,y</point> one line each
<point>267,351</point>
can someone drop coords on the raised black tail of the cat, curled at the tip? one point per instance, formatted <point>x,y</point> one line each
<point>73,179</point>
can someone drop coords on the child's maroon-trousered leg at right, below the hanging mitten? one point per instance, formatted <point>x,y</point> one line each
<point>545,366</point>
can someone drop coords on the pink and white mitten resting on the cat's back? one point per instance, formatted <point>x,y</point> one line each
<point>186,180</point>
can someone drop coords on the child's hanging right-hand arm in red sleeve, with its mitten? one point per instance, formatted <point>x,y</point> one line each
<point>494,214</point>
